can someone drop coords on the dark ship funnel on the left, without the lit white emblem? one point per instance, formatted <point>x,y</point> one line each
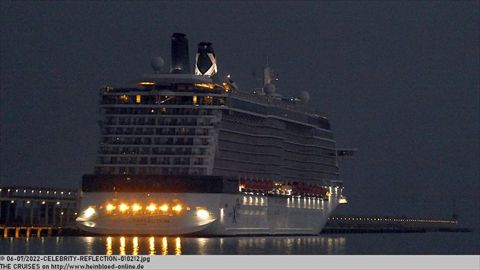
<point>180,58</point>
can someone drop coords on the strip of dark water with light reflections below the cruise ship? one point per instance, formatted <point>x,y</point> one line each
<point>334,244</point>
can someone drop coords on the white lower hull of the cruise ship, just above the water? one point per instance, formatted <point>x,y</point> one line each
<point>228,214</point>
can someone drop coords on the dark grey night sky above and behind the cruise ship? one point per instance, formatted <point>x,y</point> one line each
<point>399,80</point>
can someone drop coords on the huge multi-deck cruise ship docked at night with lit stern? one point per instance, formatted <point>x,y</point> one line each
<point>184,153</point>
